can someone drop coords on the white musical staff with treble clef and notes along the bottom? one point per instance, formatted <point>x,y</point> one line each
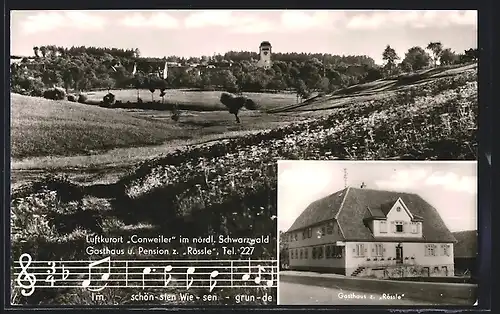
<point>107,273</point>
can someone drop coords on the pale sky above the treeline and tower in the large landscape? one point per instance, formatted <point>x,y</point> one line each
<point>187,33</point>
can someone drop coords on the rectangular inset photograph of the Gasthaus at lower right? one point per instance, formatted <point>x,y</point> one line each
<point>377,233</point>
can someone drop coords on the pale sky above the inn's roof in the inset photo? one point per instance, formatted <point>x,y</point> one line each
<point>450,187</point>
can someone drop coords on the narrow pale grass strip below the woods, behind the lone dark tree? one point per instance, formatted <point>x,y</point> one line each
<point>196,100</point>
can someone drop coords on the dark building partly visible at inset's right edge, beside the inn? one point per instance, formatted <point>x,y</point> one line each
<point>465,252</point>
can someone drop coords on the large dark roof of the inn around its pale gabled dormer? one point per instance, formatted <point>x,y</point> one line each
<point>352,206</point>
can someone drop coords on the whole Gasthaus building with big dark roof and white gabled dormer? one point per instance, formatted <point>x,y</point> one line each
<point>365,232</point>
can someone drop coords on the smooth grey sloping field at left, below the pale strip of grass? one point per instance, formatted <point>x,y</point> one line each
<point>41,127</point>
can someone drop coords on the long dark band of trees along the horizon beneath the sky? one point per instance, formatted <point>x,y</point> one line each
<point>87,68</point>
